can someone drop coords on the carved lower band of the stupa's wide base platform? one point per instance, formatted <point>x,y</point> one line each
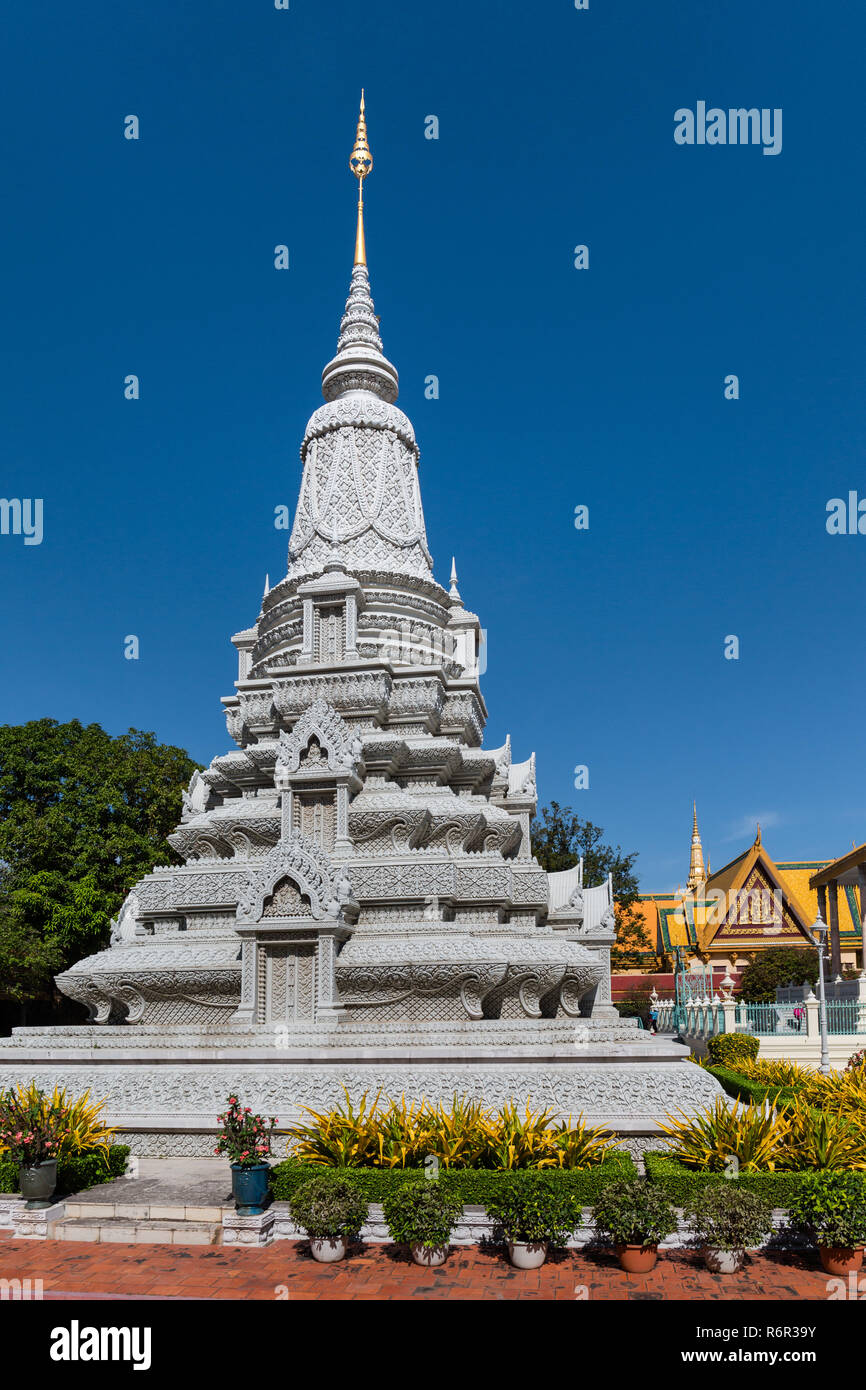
<point>170,1099</point>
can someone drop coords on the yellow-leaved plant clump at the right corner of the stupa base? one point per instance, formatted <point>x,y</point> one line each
<point>753,1134</point>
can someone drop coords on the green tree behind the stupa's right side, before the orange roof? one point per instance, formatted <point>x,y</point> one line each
<point>561,840</point>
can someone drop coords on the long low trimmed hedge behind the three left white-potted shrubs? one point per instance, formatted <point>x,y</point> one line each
<point>475,1186</point>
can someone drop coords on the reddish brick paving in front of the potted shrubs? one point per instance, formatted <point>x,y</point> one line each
<point>383,1273</point>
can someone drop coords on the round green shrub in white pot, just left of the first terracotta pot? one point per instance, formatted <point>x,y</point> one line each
<point>533,1213</point>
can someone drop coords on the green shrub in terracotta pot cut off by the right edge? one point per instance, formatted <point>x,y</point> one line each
<point>832,1207</point>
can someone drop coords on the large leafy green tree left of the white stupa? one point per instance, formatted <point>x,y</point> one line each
<point>83,817</point>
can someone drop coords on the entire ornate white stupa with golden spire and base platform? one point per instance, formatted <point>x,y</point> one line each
<point>358,904</point>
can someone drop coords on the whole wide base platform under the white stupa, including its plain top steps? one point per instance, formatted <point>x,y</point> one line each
<point>166,1086</point>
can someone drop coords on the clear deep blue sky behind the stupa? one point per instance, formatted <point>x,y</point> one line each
<point>558,387</point>
